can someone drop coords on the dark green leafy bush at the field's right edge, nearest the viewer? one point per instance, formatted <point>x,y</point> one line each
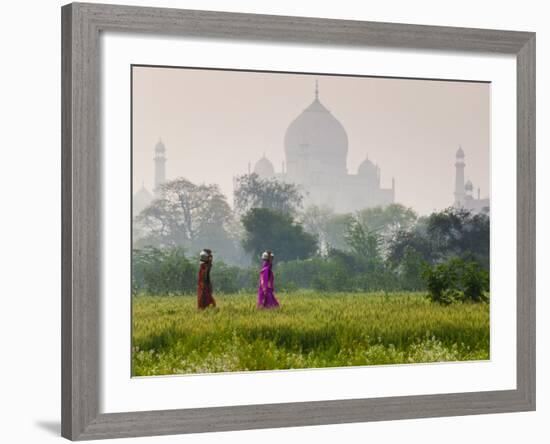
<point>457,281</point>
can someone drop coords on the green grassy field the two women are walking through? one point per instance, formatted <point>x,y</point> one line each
<point>170,336</point>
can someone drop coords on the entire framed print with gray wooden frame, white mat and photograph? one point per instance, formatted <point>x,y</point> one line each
<point>276,221</point>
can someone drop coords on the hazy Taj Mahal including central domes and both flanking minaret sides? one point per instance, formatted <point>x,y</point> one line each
<point>316,150</point>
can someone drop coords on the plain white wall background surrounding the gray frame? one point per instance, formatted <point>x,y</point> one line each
<point>30,221</point>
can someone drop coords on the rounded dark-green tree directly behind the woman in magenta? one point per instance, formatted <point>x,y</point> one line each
<point>269,229</point>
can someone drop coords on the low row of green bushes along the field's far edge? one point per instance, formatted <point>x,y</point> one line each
<point>168,271</point>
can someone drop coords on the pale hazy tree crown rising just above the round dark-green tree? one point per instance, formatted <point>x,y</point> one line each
<point>251,191</point>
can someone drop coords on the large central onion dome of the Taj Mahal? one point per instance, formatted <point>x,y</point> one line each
<point>317,136</point>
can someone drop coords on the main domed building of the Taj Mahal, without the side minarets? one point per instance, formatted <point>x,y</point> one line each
<point>316,149</point>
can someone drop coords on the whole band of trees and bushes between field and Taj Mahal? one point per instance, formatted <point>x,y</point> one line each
<point>386,248</point>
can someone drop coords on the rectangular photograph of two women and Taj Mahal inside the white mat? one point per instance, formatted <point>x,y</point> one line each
<point>292,220</point>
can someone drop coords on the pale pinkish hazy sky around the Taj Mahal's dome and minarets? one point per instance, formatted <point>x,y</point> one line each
<point>214,122</point>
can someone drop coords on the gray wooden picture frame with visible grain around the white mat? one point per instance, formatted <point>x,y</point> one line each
<point>81,172</point>
